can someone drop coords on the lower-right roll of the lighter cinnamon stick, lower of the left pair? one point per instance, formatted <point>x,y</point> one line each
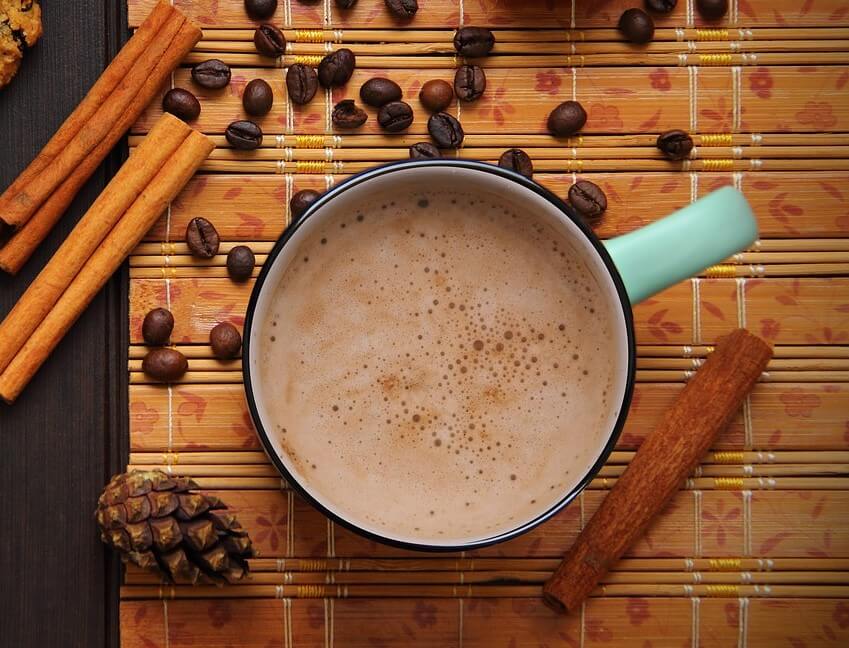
<point>126,234</point>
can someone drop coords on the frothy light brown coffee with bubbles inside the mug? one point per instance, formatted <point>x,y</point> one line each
<point>436,366</point>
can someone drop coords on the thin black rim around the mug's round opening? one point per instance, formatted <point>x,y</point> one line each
<point>627,315</point>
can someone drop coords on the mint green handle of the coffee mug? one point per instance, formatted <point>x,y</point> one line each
<point>683,244</point>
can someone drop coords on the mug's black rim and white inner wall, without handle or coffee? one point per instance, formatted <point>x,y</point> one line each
<point>470,178</point>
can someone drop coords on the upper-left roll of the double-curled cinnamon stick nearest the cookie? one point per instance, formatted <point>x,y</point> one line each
<point>96,96</point>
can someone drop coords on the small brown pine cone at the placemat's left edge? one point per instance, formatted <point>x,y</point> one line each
<point>158,523</point>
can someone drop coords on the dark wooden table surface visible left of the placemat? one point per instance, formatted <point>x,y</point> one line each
<point>68,432</point>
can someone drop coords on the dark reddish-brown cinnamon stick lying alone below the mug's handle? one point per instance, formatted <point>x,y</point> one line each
<point>704,408</point>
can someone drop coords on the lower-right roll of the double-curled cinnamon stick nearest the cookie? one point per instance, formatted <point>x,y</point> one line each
<point>23,243</point>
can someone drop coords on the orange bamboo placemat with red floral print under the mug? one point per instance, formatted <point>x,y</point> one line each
<point>754,551</point>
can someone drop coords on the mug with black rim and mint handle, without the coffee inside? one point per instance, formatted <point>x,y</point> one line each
<point>630,268</point>
